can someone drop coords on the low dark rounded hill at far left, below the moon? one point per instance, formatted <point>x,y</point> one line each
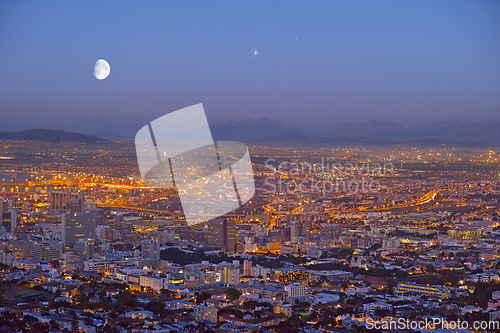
<point>52,136</point>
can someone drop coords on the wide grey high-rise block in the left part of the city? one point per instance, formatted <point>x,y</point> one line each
<point>77,225</point>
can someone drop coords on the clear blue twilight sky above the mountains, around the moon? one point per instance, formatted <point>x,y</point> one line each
<point>316,63</point>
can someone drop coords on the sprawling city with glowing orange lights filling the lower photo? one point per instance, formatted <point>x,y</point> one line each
<point>85,246</point>
